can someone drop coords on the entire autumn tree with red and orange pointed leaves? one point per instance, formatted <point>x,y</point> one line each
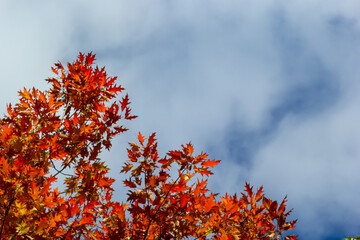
<point>59,133</point>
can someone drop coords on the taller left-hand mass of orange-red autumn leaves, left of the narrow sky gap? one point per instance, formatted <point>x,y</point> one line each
<point>50,133</point>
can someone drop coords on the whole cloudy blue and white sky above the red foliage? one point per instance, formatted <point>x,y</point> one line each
<point>271,88</point>
